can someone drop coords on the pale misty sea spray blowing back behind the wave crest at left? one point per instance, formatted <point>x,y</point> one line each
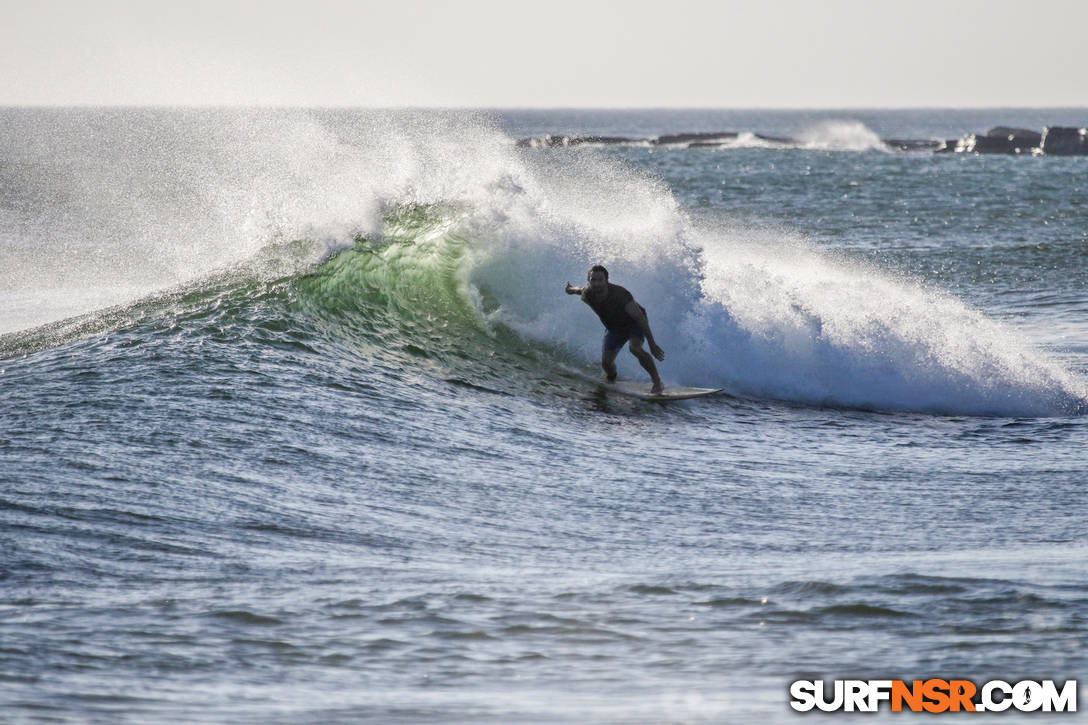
<point>103,206</point>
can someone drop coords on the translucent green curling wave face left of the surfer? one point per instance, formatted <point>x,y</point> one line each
<point>403,297</point>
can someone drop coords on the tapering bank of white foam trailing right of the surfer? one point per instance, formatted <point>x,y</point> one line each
<point>786,322</point>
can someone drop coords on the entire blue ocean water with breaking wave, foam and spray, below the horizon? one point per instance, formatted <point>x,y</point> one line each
<point>299,425</point>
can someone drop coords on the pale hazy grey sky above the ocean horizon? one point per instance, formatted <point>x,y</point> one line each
<point>769,54</point>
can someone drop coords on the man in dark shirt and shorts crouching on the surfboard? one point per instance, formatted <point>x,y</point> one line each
<point>625,323</point>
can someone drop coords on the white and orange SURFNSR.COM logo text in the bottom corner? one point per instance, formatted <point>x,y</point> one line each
<point>934,696</point>
